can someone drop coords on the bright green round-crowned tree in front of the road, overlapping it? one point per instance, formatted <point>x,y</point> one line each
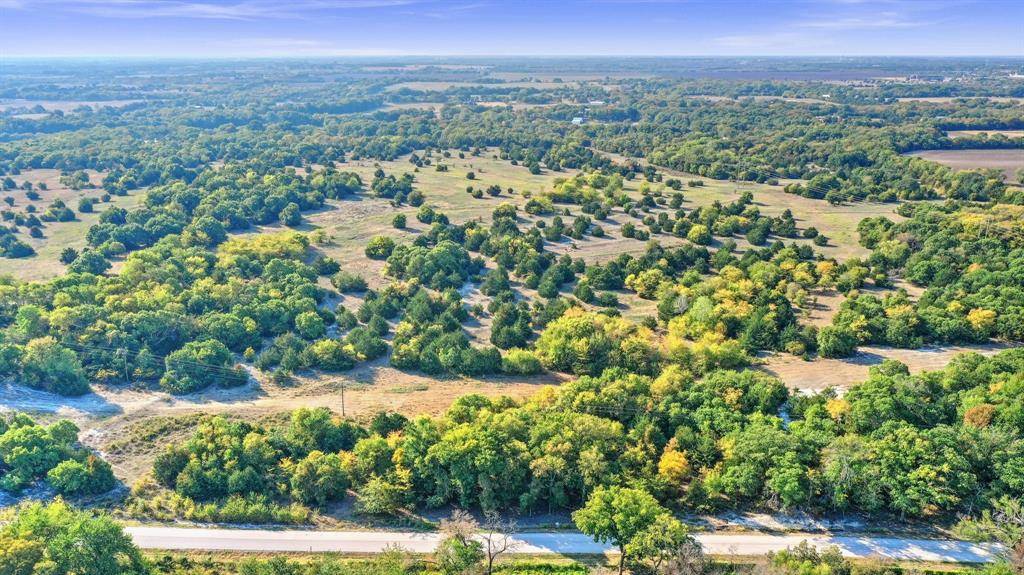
<point>619,516</point>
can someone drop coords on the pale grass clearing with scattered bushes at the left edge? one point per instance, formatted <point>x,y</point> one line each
<point>46,264</point>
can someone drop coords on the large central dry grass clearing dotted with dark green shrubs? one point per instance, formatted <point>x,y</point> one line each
<point>352,224</point>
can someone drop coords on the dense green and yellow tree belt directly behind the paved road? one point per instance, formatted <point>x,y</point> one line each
<point>696,443</point>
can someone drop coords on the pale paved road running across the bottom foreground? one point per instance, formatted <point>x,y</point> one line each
<point>542,544</point>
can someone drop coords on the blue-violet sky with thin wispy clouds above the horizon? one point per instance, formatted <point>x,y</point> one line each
<point>338,28</point>
